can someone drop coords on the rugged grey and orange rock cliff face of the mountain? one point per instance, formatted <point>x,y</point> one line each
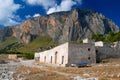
<point>64,26</point>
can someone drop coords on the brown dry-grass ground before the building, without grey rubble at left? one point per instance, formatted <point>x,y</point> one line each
<point>108,70</point>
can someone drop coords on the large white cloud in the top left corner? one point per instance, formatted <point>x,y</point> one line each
<point>7,12</point>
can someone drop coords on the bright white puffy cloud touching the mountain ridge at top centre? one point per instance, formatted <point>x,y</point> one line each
<point>65,5</point>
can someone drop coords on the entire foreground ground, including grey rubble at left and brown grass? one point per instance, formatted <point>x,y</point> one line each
<point>28,70</point>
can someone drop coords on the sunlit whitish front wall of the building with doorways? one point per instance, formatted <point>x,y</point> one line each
<point>57,55</point>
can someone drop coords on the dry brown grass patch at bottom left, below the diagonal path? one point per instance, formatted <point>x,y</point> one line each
<point>29,73</point>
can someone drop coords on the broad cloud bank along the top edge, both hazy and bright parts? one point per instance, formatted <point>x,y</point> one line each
<point>52,6</point>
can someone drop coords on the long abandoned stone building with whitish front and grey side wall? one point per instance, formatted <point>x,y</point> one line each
<point>68,53</point>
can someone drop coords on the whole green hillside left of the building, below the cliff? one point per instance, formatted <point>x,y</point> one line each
<point>12,46</point>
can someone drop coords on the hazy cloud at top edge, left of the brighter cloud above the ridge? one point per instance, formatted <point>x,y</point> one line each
<point>45,3</point>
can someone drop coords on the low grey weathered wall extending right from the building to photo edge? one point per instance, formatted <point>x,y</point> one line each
<point>107,52</point>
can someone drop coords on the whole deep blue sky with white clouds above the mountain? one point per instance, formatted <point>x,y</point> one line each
<point>14,12</point>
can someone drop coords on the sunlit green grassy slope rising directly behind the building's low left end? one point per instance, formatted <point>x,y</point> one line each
<point>41,43</point>
